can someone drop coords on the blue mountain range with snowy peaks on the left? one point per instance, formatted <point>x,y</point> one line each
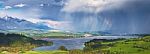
<point>10,23</point>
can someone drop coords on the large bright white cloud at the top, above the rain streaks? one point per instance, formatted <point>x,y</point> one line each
<point>91,5</point>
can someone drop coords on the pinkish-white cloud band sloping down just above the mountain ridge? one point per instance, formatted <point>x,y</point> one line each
<point>61,25</point>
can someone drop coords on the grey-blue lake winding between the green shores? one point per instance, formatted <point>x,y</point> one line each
<point>75,43</point>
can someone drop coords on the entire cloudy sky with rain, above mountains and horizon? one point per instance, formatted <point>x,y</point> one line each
<point>114,16</point>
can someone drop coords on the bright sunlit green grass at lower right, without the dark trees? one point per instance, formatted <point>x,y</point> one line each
<point>131,47</point>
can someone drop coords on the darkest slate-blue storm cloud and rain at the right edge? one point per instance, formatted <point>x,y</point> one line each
<point>132,17</point>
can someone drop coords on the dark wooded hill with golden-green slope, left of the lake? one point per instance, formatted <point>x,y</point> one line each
<point>17,42</point>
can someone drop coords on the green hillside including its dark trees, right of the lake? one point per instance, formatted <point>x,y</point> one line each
<point>130,46</point>
